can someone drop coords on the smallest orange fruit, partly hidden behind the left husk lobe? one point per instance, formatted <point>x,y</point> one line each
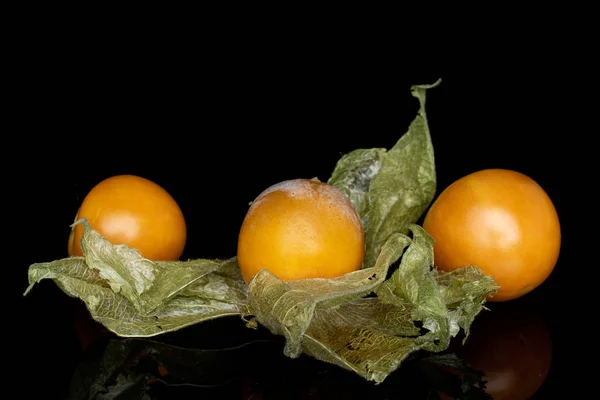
<point>131,210</point>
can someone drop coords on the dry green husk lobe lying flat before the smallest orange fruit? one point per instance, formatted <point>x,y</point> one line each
<point>186,292</point>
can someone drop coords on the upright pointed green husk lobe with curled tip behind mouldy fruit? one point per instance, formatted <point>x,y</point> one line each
<point>390,190</point>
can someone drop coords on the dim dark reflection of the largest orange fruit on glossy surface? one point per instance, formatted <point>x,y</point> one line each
<point>513,349</point>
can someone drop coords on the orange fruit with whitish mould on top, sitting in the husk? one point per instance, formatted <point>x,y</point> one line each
<point>299,229</point>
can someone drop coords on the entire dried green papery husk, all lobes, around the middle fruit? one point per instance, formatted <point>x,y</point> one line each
<point>367,321</point>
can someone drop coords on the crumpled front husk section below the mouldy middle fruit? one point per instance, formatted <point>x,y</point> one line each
<point>372,335</point>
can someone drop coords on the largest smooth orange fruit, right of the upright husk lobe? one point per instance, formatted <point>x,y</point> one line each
<point>501,221</point>
